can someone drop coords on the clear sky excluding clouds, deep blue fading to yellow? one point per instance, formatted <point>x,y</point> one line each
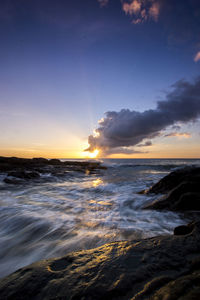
<point>65,63</point>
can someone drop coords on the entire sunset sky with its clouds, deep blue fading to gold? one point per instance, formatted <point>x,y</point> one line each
<point>119,76</point>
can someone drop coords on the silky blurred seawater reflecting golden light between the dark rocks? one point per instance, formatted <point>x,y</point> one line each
<point>57,215</point>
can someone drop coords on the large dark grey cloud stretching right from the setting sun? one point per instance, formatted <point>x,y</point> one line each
<point>128,128</point>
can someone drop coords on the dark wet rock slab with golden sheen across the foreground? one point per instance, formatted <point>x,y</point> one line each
<point>165,267</point>
